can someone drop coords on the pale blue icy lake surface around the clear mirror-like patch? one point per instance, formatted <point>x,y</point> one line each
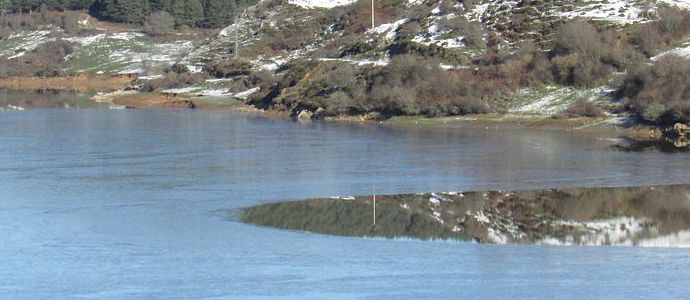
<point>133,204</point>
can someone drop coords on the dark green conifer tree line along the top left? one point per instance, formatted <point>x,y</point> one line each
<point>193,13</point>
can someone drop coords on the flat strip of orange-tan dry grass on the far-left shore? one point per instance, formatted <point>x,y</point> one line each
<point>76,83</point>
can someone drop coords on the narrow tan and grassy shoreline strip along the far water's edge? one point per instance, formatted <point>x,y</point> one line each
<point>112,90</point>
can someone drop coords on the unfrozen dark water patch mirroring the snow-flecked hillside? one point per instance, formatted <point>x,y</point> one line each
<point>657,216</point>
